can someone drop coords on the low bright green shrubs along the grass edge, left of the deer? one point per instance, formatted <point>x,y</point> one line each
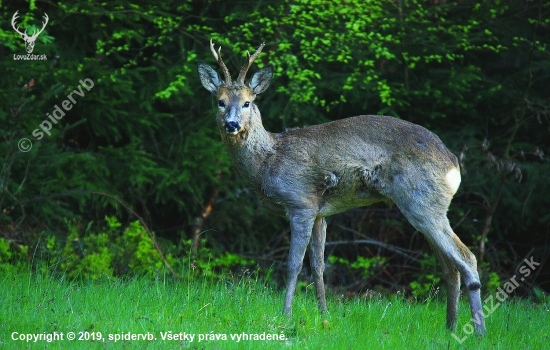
<point>115,250</point>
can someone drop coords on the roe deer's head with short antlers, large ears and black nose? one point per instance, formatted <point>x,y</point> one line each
<point>236,110</point>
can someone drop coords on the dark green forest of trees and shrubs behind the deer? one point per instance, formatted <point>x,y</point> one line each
<point>134,179</point>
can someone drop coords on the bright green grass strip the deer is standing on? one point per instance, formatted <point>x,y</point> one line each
<point>36,303</point>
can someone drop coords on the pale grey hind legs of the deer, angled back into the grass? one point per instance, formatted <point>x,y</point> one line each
<point>430,219</point>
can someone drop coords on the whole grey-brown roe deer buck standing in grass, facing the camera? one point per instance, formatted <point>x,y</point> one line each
<point>322,170</point>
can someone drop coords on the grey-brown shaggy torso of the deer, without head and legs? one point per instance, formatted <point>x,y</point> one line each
<point>357,166</point>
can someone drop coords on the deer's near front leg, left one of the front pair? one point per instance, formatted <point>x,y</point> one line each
<point>301,225</point>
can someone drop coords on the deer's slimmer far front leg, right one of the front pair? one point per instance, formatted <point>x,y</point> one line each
<point>317,260</point>
